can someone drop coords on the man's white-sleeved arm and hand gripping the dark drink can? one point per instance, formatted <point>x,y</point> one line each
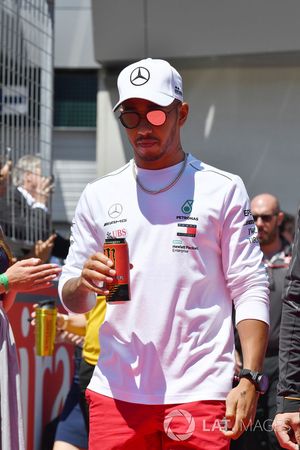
<point>86,270</point>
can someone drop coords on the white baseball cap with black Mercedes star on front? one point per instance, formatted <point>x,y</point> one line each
<point>150,79</point>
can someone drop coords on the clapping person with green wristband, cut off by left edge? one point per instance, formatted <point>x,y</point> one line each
<point>22,276</point>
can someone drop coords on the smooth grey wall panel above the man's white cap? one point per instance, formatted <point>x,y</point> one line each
<point>176,29</point>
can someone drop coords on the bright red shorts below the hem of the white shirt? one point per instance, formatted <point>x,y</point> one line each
<point>115,424</point>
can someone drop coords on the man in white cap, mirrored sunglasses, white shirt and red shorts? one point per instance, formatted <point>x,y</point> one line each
<point>167,356</point>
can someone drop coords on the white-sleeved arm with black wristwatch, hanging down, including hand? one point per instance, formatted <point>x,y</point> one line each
<point>246,279</point>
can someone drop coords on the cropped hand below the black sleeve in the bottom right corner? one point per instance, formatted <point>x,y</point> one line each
<point>287,429</point>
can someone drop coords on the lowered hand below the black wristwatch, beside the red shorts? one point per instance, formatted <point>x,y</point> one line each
<point>241,405</point>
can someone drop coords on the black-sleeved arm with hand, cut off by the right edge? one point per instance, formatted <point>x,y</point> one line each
<point>287,421</point>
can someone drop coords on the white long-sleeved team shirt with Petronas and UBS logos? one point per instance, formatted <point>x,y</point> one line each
<point>194,253</point>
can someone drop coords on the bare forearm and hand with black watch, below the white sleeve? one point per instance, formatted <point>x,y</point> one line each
<point>242,400</point>
